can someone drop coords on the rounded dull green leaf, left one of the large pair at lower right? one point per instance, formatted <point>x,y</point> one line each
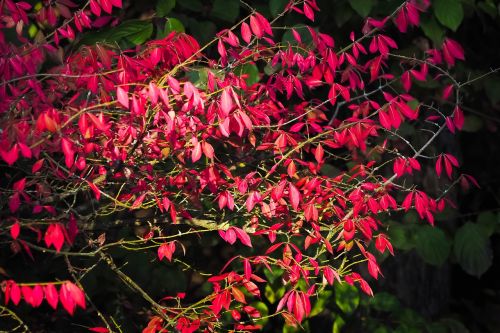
<point>432,245</point>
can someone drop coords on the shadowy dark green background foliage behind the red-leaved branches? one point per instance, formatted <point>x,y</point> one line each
<point>465,241</point>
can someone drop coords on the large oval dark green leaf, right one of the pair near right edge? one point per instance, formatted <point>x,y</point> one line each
<point>472,249</point>
